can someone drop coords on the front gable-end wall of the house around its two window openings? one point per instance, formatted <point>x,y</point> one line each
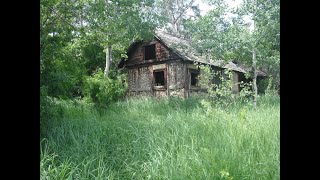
<point>140,71</point>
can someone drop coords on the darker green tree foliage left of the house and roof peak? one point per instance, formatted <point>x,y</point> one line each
<point>73,37</point>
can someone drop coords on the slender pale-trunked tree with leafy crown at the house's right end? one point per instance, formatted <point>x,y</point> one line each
<point>266,22</point>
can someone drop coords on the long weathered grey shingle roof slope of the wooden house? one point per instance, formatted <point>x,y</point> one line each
<point>184,49</point>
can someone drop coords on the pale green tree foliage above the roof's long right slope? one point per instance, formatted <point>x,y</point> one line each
<point>229,39</point>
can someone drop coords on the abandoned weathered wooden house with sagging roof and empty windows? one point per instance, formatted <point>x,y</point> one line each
<point>165,66</point>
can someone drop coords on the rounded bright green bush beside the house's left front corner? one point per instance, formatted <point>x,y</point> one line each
<point>104,90</point>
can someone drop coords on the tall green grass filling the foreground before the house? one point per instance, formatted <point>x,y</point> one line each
<point>145,138</point>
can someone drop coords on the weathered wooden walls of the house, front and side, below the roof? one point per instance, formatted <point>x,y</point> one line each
<point>177,75</point>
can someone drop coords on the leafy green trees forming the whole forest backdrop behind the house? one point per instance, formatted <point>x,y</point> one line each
<point>75,36</point>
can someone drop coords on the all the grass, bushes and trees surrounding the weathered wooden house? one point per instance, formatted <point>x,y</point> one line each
<point>87,133</point>
